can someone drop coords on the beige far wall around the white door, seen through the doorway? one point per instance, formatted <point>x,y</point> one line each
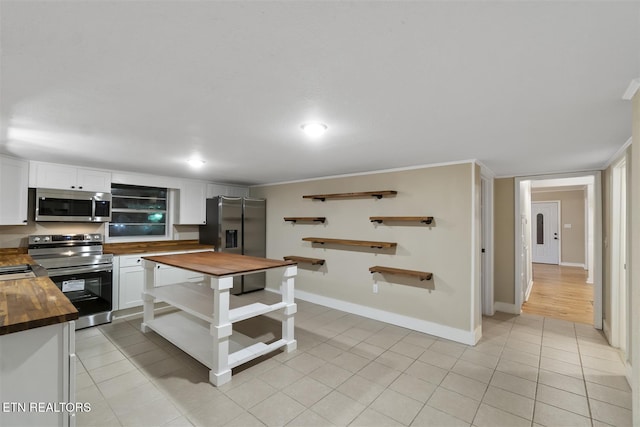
<point>571,212</point>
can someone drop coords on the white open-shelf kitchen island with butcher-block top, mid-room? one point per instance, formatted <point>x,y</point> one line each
<point>203,327</point>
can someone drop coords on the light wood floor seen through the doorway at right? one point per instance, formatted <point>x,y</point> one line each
<point>561,293</point>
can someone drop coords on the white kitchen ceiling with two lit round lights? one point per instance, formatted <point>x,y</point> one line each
<point>524,87</point>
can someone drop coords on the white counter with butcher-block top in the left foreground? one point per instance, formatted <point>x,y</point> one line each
<point>37,350</point>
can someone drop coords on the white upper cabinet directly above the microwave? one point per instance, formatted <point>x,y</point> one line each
<point>49,175</point>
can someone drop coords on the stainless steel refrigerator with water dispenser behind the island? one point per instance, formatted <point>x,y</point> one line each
<point>237,225</point>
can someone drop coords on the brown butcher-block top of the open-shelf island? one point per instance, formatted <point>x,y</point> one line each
<point>218,263</point>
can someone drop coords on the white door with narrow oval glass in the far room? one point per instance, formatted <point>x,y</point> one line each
<point>545,243</point>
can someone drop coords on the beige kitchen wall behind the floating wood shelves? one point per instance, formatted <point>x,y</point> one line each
<point>445,249</point>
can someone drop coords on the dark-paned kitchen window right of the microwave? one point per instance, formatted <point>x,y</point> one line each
<point>138,211</point>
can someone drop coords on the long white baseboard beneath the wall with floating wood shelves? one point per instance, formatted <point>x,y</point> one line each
<point>442,331</point>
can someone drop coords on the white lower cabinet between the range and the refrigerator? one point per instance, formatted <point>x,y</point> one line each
<point>131,278</point>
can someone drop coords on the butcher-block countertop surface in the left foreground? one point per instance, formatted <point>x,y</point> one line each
<point>32,303</point>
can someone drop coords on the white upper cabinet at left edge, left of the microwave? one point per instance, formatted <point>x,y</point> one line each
<point>14,190</point>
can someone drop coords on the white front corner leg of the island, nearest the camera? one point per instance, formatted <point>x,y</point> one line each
<point>221,330</point>
